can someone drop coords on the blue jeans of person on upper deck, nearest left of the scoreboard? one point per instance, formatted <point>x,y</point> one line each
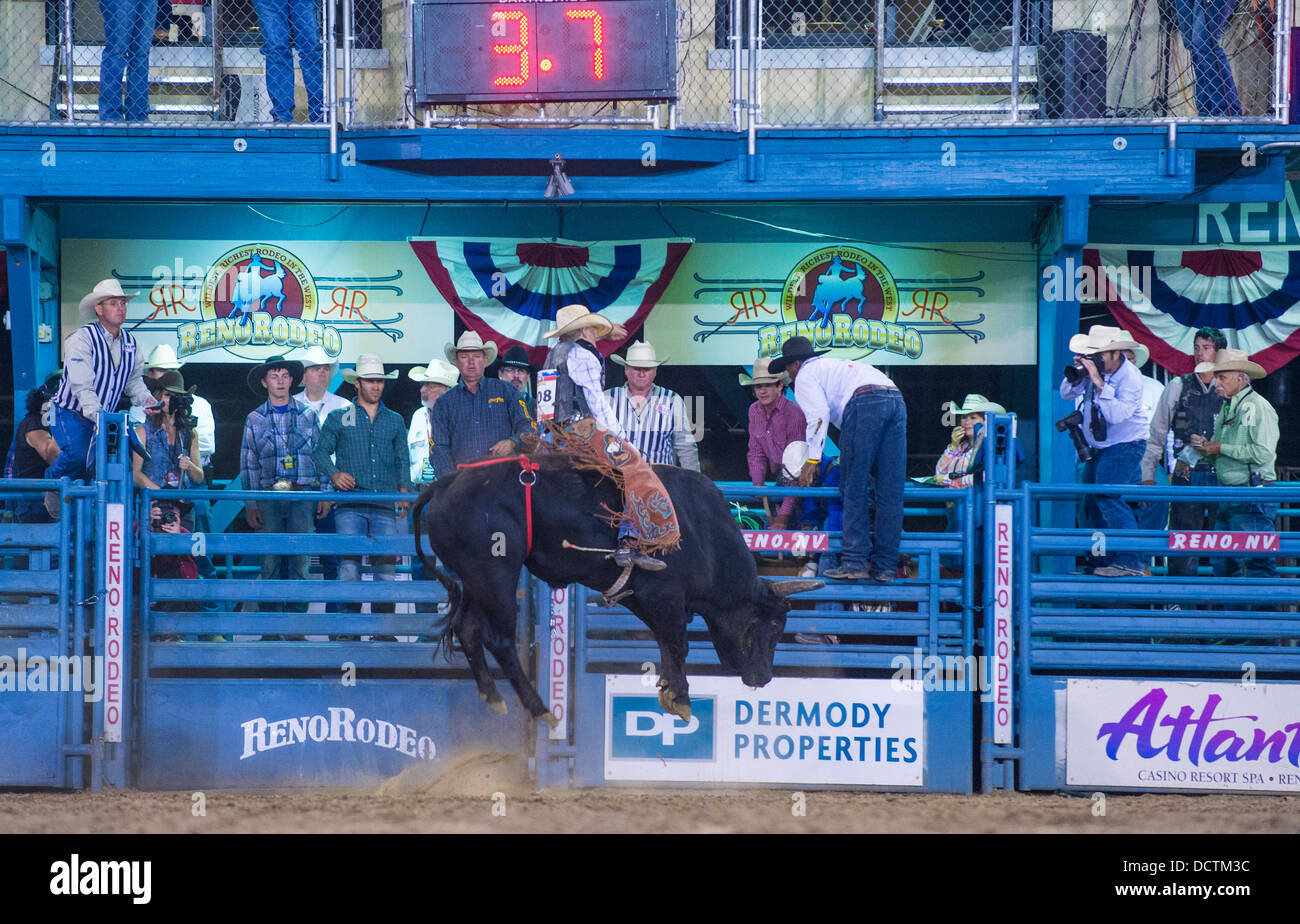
<point>276,19</point>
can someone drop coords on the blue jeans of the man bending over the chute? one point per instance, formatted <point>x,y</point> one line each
<point>873,443</point>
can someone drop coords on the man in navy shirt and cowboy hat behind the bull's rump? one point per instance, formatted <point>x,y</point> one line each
<point>479,417</point>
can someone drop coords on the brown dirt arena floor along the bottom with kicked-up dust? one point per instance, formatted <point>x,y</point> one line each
<point>489,793</point>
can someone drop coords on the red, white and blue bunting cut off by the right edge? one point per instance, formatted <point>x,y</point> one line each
<point>1164,296</point>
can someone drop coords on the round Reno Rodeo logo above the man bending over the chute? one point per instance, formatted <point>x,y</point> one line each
<point>842,298</point>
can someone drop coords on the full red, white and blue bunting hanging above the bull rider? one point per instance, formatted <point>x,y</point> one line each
<point>509,290</point>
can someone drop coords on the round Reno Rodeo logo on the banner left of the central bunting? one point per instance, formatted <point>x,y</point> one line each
<point>258,301</point>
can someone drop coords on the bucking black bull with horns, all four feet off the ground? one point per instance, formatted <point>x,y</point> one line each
<point>476,524</point>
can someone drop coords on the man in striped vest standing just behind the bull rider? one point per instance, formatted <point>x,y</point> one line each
<point>653,418</point>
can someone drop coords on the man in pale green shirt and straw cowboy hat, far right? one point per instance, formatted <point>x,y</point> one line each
<point>1245,449</point>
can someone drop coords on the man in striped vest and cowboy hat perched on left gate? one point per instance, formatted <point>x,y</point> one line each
<point>101,365</point>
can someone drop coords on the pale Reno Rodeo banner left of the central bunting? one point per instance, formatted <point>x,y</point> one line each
<point>232,302</point>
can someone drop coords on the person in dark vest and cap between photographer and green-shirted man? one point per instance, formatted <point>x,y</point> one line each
<point>1188,407</point>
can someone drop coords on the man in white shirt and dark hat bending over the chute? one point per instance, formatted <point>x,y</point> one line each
<point>869,410</point>
